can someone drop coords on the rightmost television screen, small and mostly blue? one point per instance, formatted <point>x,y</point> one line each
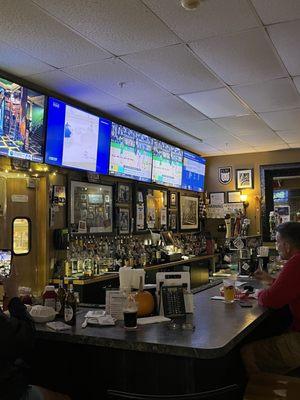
<point>193,172</point>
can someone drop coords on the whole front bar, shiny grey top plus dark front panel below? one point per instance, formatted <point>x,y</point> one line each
<point>85,362</point>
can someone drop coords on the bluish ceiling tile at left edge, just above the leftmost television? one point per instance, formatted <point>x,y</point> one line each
<point>17,62</point>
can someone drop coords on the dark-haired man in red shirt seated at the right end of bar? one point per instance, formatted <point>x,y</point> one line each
<point>279,354</point>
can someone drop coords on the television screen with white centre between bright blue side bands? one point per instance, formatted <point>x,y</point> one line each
<point>76,138</point>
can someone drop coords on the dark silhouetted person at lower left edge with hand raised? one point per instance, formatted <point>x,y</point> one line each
<point>17,339</point>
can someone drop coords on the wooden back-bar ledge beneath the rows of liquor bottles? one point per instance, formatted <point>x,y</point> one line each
<point>114,275</point>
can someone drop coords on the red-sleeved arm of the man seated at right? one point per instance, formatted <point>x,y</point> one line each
<point>284,289</point>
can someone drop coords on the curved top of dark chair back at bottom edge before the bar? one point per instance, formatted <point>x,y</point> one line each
<point>227,392</point>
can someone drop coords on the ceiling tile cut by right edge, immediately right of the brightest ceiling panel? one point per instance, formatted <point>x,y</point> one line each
<point>278,94</point>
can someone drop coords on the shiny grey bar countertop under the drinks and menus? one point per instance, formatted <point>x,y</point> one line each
<point>218,328</point>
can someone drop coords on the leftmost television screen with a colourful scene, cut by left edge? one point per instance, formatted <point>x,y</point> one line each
<point>21,122</point>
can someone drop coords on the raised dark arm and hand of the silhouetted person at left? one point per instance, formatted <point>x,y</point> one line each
<point>16,331</point>
